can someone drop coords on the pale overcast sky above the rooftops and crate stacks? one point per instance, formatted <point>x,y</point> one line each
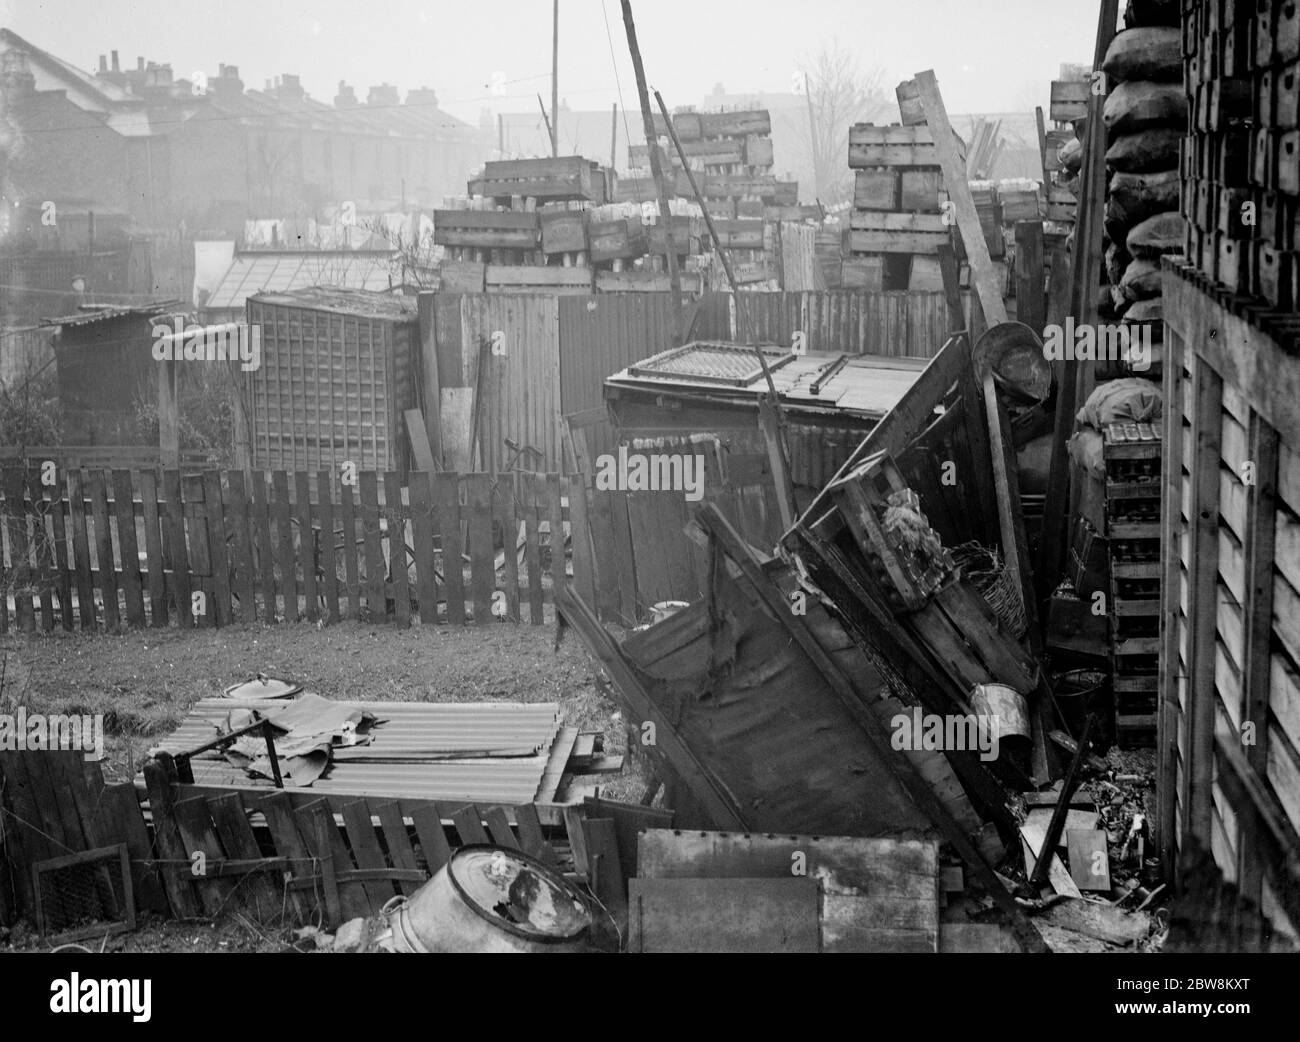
<point>497,54</point>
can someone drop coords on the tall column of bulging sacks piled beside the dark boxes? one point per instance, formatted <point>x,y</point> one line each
<point>1146,116</point>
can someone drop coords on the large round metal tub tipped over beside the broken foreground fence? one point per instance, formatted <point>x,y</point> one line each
<point>493,900</point>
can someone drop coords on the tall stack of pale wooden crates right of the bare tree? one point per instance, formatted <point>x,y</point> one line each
<point>898,225</point>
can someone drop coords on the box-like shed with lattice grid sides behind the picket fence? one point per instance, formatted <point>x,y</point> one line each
<point>339,368</point>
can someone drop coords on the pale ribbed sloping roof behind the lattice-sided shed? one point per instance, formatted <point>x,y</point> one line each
<point>280,272</point>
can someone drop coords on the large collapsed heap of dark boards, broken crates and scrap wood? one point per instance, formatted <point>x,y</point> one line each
<point>775,700</point>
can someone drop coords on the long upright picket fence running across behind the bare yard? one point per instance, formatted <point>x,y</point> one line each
<point>149,548</point>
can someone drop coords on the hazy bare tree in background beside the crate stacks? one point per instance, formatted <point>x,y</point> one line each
<point>839,95</point>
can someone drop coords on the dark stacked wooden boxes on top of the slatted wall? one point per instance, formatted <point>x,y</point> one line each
<point>1242,155</point>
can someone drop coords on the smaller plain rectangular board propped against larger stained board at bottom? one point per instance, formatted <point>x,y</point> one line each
<point>725,915</point>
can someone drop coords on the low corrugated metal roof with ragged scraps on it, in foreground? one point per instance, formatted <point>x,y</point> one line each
<point>410,730</point>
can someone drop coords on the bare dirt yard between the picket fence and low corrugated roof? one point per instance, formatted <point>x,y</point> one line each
<point>145,683</point>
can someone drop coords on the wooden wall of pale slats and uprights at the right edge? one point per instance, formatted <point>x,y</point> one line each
<point>1230,657</point>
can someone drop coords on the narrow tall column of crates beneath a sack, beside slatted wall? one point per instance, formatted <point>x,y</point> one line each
<point>1133,454</point>
